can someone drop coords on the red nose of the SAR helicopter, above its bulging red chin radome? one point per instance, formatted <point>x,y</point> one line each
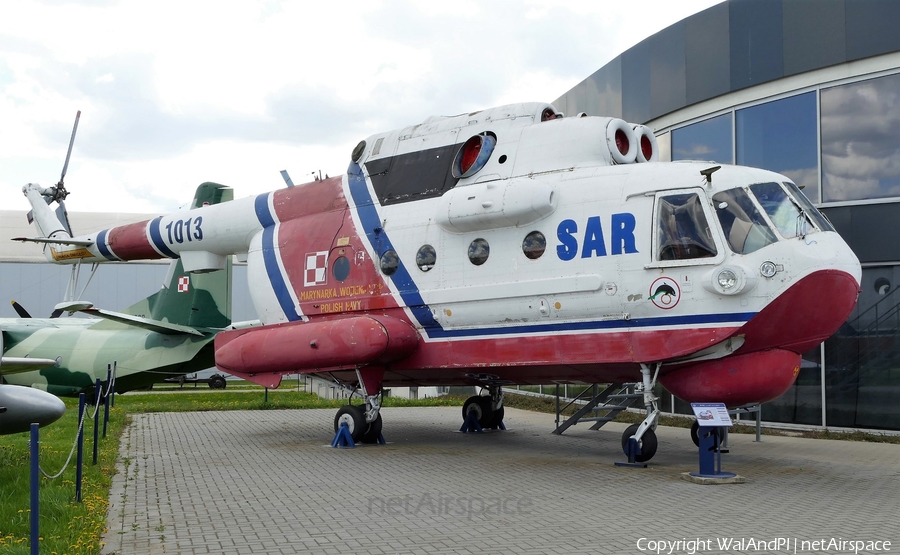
<point>803,316</point>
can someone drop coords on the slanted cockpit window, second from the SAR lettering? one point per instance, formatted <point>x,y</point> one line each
<point>745,228</point>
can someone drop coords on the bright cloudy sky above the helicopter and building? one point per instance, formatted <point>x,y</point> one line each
<point>173,93</point>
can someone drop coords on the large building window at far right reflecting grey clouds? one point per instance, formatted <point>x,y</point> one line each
<point>861,140</point>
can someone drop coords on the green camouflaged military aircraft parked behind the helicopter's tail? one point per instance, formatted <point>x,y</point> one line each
<point>169,333</point>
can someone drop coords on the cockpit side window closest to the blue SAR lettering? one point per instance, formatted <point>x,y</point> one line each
<point>682,230</point>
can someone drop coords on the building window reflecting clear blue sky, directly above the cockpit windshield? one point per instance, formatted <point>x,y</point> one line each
<point>781,136</point>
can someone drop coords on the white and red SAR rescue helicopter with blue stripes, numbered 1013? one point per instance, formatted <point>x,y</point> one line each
<point>514,246</point>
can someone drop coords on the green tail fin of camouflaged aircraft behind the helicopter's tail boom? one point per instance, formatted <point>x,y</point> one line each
<point>196,300</point>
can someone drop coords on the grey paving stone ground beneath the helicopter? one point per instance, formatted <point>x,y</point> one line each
<point>268,482</point>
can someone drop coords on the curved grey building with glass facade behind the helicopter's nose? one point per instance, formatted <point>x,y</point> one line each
<point>810,89</point>
